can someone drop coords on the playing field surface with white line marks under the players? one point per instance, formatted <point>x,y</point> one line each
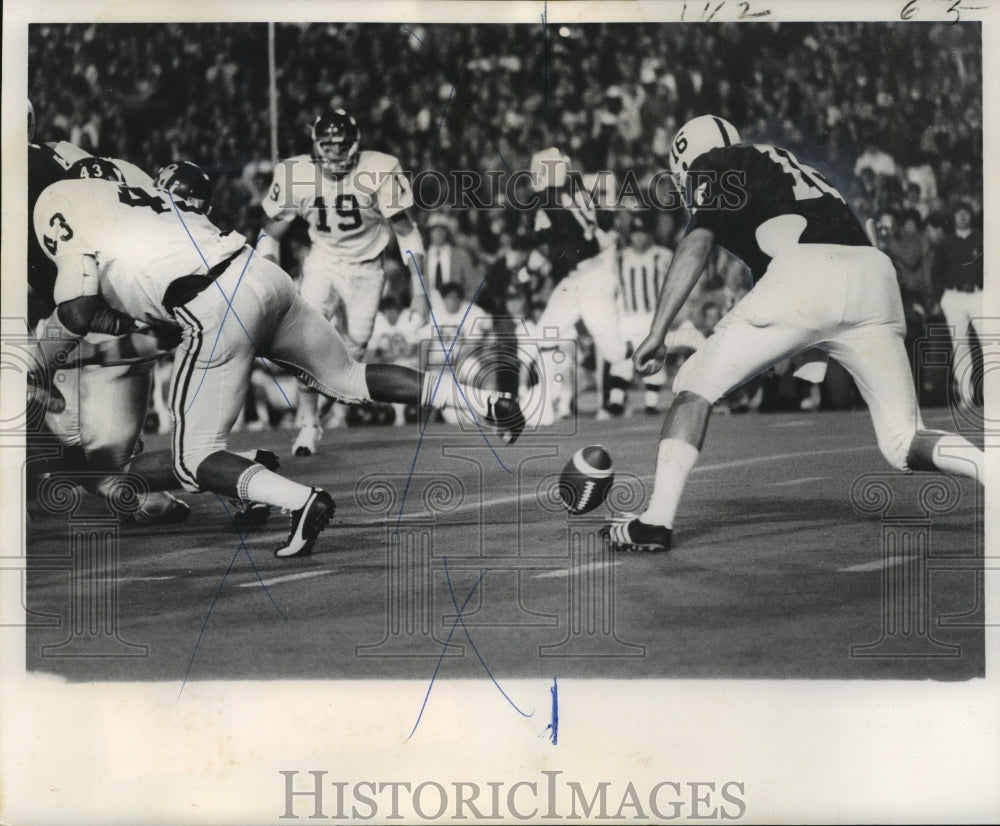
<point>778,570</point>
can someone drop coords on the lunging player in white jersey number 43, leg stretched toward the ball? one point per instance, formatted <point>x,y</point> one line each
<point>126,253</point>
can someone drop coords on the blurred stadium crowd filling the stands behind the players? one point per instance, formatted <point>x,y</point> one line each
<point>891,113</point>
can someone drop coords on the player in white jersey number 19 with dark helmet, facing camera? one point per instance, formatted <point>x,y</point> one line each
<point>354,202</point>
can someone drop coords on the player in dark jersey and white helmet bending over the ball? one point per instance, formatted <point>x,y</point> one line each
<point>818,282</point>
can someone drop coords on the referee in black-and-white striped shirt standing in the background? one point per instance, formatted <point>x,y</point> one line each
<point>642,266</point>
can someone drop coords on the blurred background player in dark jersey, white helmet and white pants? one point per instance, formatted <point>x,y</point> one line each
<point>580,258</point>
